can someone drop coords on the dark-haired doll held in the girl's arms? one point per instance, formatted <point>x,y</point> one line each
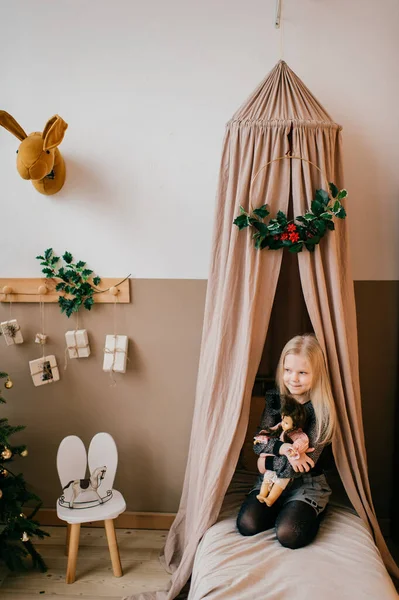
<point>289,430</point>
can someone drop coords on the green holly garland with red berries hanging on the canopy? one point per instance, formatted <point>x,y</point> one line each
<point>304,231</point>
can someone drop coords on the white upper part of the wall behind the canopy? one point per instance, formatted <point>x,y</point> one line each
<point>147,87</point>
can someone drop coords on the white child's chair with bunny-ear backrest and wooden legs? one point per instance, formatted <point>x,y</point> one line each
<point>71,465</point>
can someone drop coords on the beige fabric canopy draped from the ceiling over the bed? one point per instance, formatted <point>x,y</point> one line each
<point>281,116</point>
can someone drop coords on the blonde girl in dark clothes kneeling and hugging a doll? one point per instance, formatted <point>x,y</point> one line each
<point>302,373</point>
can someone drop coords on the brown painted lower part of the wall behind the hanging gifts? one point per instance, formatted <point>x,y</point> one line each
<point>149,411</point>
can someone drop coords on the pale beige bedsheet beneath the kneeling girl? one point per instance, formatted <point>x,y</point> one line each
<point>343,562</point>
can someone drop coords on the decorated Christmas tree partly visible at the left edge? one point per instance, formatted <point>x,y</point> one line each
<point>16,528</point>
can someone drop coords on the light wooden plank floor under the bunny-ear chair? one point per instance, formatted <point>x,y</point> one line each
<point>139,551</point>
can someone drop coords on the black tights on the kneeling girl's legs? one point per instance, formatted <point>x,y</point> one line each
<point>296,522</point>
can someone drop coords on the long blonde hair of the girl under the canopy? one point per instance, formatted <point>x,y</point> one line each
<point>320,393</point>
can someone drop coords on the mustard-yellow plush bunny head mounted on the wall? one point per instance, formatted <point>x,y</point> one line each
<point>38,157</point>
